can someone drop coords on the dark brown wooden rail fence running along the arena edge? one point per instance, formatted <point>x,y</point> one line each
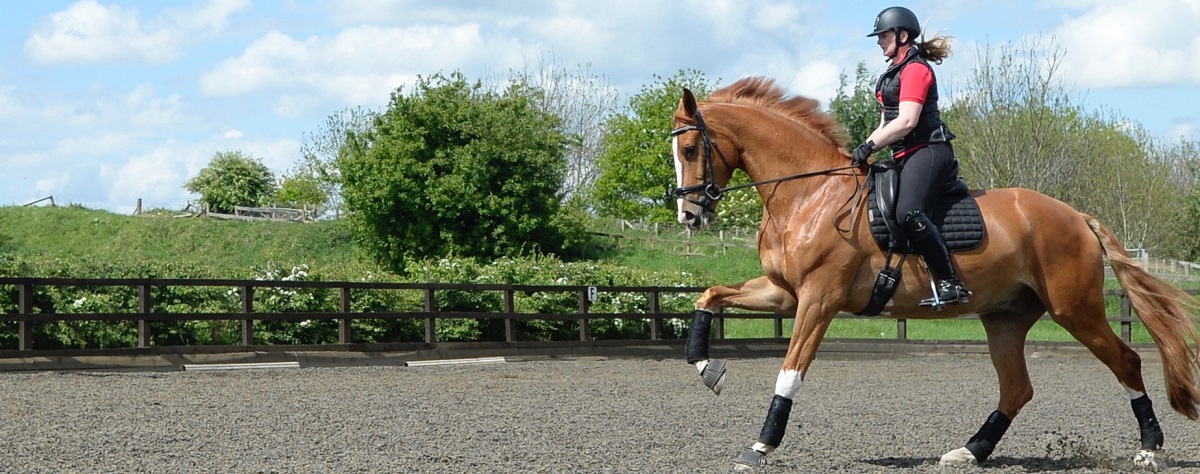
<point>26,316</point>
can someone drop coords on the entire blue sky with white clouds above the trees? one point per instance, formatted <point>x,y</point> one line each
<point>105,103</point>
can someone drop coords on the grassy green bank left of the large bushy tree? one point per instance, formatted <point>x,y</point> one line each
<point>220,249</point>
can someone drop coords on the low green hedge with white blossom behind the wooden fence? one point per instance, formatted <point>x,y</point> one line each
<point>178,301</point>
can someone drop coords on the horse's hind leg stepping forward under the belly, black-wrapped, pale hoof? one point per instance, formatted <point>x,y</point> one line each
<point>1006,344</point>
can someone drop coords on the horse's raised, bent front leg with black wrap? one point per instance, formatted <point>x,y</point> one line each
<point>758,295</point>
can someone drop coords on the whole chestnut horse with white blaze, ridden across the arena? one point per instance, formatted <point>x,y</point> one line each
<point>819,259</point>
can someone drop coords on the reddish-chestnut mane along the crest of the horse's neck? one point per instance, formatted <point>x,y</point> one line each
<point>764,93</point>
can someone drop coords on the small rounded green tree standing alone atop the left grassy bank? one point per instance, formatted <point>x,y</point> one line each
<point>232,179</point>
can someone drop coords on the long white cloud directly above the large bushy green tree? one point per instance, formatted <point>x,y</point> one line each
<point>361,65</point>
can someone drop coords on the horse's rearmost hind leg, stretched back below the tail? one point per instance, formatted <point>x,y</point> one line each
<point>1087,322</point>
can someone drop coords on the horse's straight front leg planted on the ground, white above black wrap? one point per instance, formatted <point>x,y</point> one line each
<point>812,322</point>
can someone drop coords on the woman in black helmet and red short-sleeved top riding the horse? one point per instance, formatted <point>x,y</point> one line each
<point>921,143</point>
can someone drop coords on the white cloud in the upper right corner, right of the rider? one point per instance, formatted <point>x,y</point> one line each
<point>1123,44</point>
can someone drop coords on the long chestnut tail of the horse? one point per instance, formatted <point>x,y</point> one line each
<point>1165,310</point>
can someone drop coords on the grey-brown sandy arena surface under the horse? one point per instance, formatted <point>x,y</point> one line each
<point>572,416</point>
